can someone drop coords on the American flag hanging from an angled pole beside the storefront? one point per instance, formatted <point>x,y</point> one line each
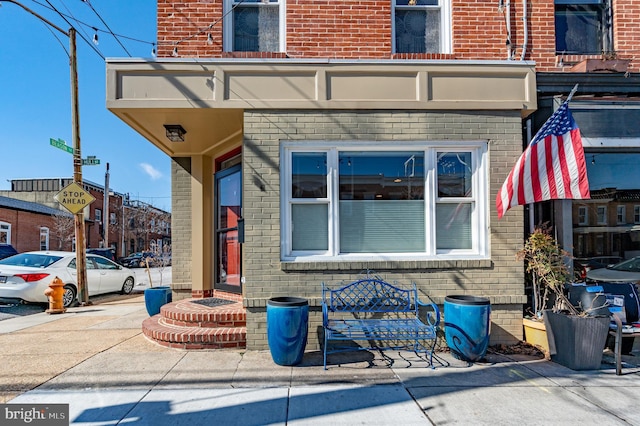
<point>552,167</point>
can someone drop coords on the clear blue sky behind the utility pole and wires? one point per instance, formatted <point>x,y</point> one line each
<point>35,100</point>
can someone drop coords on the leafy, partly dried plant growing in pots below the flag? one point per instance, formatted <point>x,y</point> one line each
<point>545,260</point>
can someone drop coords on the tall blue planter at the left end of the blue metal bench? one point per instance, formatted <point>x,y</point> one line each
<point>287,326</point>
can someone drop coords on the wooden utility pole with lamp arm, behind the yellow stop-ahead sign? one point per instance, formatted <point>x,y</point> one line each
<point>81,252</point>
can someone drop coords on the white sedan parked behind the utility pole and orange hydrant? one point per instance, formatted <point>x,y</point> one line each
<point>24,277</point>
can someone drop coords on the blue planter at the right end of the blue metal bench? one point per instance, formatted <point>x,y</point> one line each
<point>467,326</point>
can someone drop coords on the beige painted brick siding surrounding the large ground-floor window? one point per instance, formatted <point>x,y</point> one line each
<point>501,279</point>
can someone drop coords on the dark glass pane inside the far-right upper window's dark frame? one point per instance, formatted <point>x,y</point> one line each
<point>578,29</point>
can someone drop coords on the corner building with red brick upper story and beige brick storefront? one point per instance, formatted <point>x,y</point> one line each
<point>313,140</point>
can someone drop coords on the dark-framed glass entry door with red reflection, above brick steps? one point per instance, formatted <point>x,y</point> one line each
<point>228,216</point>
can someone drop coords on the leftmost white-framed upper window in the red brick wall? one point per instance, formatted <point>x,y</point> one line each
<point>254,25</point>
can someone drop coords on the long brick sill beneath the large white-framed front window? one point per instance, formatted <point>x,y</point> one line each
<point>358,266</point>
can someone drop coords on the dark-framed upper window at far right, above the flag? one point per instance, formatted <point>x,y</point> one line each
<point>581,27</point>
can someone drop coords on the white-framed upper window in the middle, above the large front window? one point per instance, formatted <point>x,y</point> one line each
<point>421,26</point>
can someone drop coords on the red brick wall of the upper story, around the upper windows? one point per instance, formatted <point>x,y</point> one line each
<point>350,29</point>
